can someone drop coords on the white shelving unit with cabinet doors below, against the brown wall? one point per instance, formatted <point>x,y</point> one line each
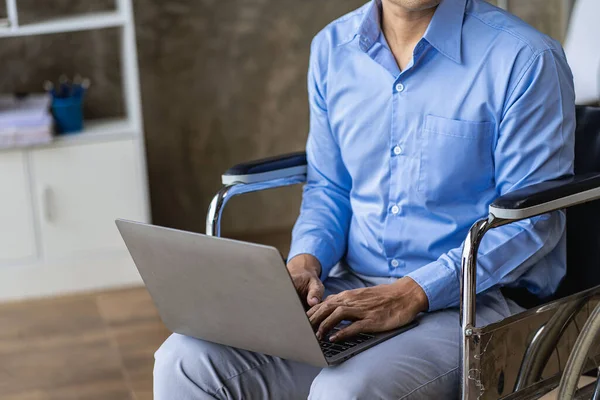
<point>61,197</point>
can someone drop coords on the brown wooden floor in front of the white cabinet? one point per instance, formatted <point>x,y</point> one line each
<point>96,346</point>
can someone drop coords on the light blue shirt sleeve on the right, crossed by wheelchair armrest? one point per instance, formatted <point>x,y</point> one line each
<point>535,143</point>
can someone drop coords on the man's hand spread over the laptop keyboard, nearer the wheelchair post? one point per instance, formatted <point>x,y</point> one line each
<point>375,309</point>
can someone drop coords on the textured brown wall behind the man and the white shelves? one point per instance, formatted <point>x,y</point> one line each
<point>223,81</point>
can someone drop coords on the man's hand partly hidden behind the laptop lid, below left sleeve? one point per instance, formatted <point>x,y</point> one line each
<point>305,270</point>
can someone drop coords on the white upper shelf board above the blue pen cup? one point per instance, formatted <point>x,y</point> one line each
<point>78,23</point>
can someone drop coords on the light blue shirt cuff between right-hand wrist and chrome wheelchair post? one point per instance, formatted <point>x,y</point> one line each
<point>440,284</point>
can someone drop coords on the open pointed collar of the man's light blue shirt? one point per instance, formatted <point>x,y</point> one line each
<point>444,31</point>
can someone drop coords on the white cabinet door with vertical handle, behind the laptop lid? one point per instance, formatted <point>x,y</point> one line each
<point>81,190</point>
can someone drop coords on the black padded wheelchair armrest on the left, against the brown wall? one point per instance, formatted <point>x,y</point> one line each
<point>266,169</point>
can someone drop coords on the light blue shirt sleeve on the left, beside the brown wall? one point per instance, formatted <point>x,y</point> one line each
<point>322,227</point>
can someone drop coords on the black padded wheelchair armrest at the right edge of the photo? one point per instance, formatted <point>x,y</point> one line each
<point>547,196</point>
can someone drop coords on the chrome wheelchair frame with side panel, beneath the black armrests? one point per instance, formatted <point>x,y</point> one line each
<point>520,357</point>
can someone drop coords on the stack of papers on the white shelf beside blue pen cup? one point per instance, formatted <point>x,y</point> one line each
<point>25,121</point>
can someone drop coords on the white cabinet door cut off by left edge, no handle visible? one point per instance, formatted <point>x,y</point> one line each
<point>17,239</point>
